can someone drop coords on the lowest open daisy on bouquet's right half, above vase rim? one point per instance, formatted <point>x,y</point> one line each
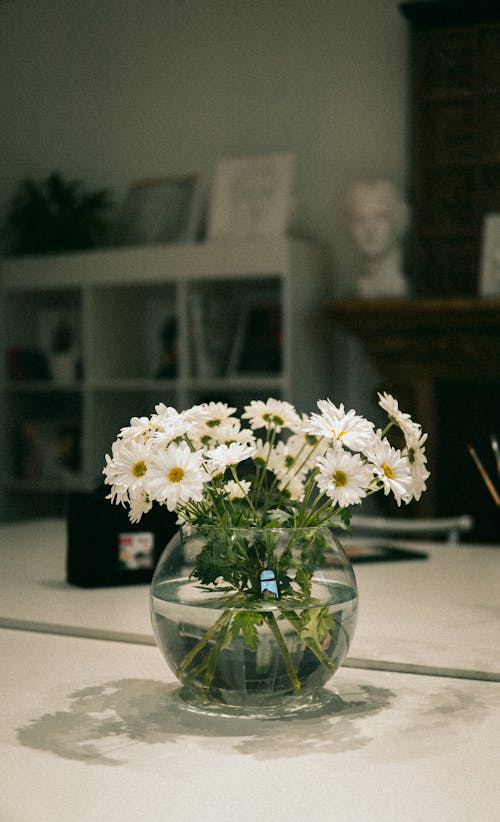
<point>343,477</point>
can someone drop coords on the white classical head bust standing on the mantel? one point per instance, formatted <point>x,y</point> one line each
<point>378,218</point>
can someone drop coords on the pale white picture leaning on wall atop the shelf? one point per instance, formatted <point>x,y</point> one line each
<point>252,196</point>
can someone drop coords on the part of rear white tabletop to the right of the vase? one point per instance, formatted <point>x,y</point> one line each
<point>442,612</point>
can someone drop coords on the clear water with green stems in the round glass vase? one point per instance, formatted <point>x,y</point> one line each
<point>256,654</point>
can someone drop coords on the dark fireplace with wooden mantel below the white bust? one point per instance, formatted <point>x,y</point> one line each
<point>440,357</point>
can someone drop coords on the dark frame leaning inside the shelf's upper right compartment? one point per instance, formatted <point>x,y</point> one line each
<point>257,347</point>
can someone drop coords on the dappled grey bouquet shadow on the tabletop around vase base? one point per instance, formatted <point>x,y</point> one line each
<point>102,722</point>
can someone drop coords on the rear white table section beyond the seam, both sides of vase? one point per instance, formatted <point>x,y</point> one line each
<point>440,615</point>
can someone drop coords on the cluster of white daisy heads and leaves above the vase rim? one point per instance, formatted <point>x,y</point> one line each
<point>209,468</point>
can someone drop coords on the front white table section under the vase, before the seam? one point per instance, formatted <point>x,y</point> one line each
<point>92,731</point>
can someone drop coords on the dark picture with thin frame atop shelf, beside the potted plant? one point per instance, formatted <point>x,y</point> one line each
<point>161,210</point>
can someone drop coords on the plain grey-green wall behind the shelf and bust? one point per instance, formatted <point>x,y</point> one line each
<point>110,91</point>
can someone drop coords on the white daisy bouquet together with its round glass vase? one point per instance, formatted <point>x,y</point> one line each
<point>259,500</point>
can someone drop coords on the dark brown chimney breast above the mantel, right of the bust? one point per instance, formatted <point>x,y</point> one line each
<point>454,110</point>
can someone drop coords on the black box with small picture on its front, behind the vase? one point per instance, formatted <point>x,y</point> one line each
<point>104,548</point>
